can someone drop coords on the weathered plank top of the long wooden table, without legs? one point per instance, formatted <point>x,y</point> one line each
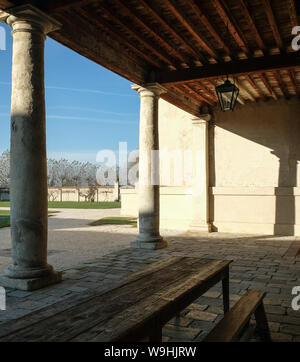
<point>142,296</point>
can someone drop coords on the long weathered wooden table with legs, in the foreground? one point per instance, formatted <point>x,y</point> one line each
<point>133,309</point>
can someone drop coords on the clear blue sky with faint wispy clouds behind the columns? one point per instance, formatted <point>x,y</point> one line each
<point>88,107</point>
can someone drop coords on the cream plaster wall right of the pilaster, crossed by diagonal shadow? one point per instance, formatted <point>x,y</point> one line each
<point>254,174</point>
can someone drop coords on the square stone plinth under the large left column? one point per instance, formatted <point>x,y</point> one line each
<point>30,284</point>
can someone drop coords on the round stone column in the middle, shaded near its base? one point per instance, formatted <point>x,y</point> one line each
<point>148,186</point>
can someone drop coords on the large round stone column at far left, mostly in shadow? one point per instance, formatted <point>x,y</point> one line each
<point>28,182</point>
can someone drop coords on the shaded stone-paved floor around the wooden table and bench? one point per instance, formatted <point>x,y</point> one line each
<point>267,263</point>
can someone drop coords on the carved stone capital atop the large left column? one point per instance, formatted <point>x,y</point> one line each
<point>27,17</point>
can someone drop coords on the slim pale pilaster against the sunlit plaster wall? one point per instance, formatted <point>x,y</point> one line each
<point>201,174</point>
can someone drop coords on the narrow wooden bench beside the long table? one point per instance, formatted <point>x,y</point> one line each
<point>234,322</point>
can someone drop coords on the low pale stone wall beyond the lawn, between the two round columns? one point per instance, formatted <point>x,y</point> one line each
<point>80,194</point>
